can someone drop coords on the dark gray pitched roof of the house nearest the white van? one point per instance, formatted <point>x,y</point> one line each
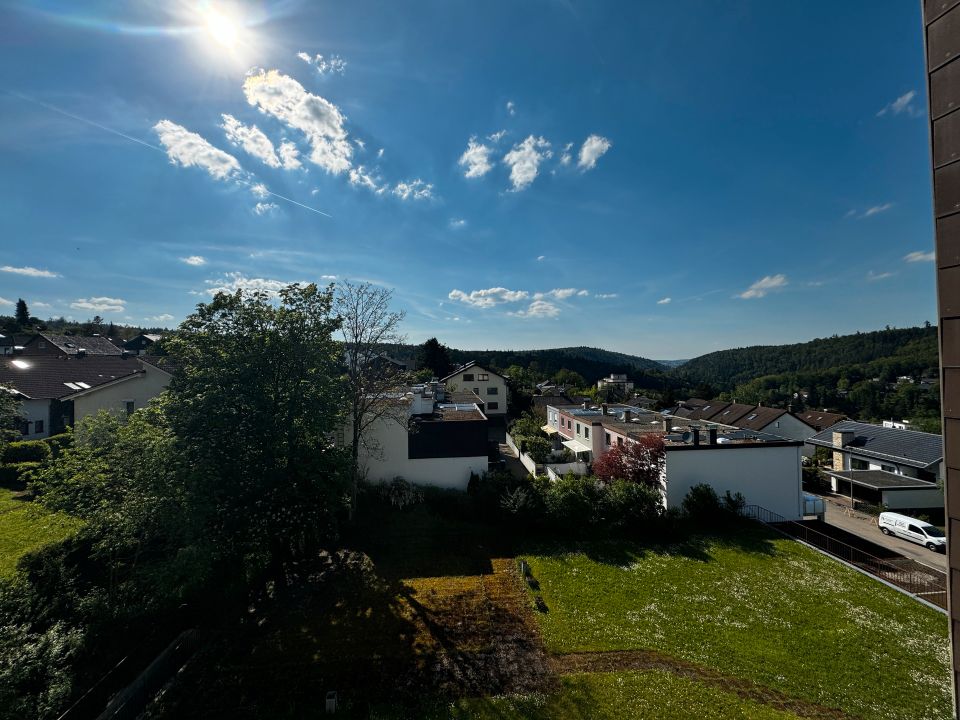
<point>907,447</point>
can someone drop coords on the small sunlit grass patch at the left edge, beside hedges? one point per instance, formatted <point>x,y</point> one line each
<point>25,527</point>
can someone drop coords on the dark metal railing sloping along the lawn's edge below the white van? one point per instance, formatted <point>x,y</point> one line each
<point>927,583</point>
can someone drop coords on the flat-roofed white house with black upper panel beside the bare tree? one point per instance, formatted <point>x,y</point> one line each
<point>430,440</point>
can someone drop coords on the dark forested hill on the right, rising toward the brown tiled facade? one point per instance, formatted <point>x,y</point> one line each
<point>727,368</point>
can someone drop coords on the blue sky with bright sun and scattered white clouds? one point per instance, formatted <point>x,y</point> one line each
<point>664,179</point>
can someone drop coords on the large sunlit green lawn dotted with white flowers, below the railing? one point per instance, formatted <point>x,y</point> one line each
<point>757,607</point>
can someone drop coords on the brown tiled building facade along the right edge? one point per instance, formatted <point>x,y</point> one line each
<point>942,41</point>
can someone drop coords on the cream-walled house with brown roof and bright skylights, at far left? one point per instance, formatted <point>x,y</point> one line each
<point>55,392</point>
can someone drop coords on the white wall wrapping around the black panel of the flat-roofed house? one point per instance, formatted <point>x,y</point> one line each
<point>389,458</point>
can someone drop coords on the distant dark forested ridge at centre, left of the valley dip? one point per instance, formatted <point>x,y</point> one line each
<point>591,363</point>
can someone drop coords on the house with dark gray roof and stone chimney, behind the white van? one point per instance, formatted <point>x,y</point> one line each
<point>884,465</point>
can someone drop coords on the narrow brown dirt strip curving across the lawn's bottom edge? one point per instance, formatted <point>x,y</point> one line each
<point>618,661</point>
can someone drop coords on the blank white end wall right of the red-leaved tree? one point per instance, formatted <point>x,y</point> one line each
<point>765,476</point>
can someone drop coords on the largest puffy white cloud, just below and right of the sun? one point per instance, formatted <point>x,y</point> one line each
<point>318,119</point>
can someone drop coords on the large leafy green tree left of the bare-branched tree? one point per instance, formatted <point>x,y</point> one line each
<point>254,402</point>
